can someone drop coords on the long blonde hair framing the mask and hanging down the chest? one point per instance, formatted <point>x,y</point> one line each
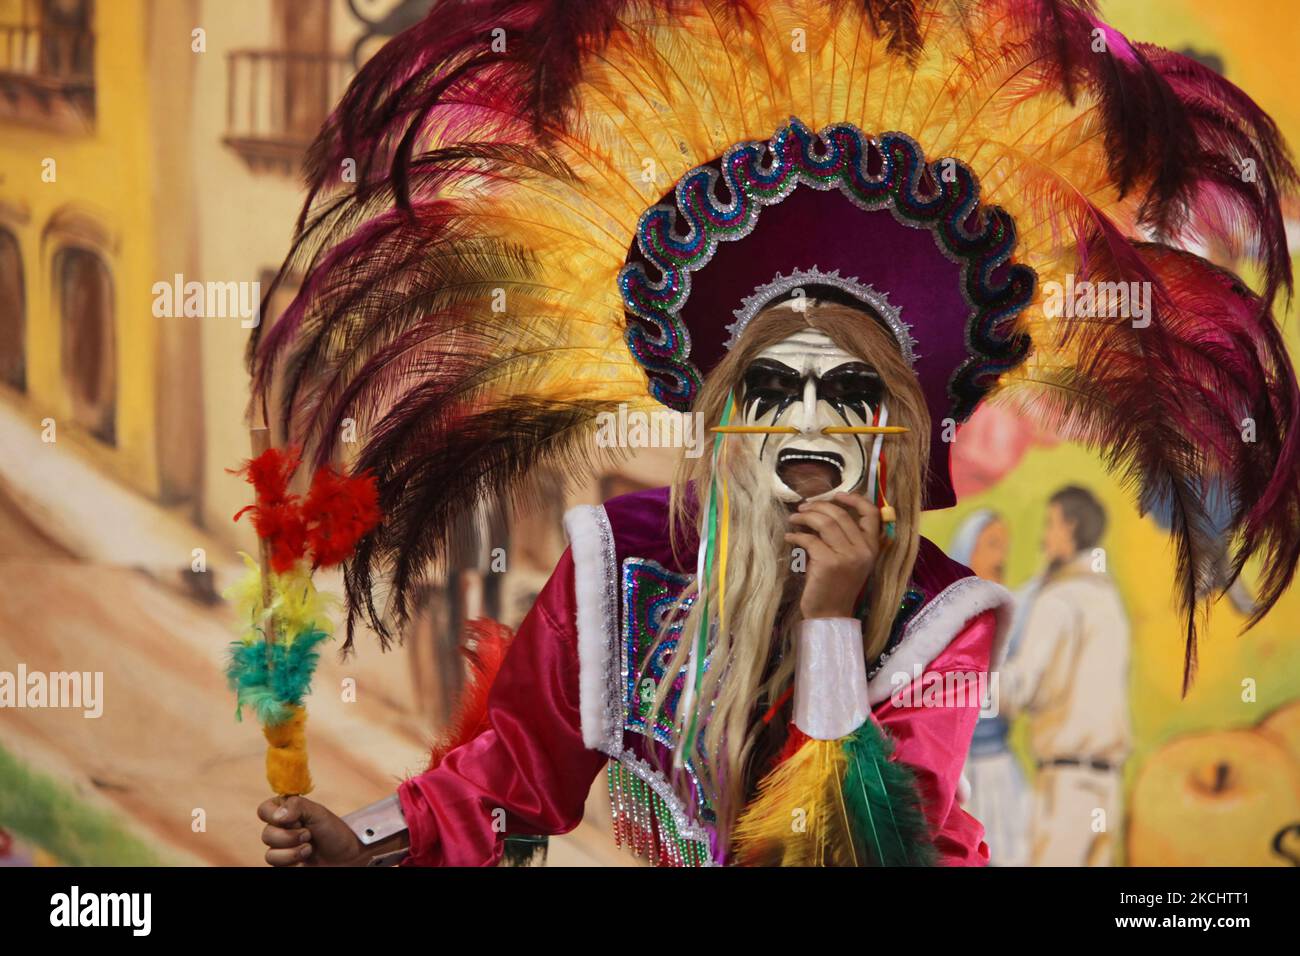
<point>752,661</point>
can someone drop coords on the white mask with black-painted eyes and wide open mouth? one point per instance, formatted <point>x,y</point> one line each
<point>808,382</point>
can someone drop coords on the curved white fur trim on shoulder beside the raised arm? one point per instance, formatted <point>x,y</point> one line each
<point>938,624</point>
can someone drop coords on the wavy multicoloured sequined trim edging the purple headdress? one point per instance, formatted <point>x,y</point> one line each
<point>764,174</point>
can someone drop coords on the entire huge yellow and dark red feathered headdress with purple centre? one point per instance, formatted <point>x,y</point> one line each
<point>552,202</point>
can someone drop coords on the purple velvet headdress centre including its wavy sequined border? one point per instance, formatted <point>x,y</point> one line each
<point>860,218</point>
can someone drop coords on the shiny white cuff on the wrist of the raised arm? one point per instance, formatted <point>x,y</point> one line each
<point>831,678</point>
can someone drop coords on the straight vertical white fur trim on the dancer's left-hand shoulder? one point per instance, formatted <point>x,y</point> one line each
<point>596,583</point>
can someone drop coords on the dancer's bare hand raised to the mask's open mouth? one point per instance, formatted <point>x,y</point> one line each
<point>842,539</point>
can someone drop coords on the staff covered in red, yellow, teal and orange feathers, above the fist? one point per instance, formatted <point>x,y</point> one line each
<point>285,618</point>
